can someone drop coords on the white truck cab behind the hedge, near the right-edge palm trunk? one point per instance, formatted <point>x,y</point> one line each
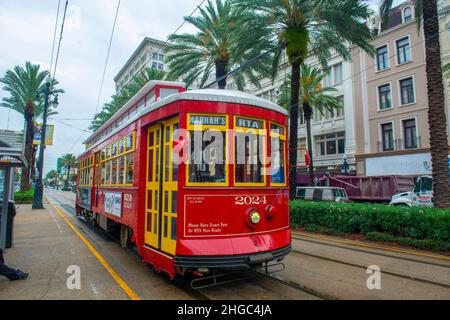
<point>421,195</point>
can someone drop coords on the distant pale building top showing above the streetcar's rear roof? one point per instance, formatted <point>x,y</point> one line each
<point>148,54</point>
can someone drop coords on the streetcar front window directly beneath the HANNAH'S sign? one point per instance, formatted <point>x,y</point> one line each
<point>207,163</point>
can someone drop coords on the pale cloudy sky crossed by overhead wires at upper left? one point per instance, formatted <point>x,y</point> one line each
<point>26,34</point>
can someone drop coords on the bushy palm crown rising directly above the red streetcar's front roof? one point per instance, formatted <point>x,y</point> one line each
<point>227,37</point>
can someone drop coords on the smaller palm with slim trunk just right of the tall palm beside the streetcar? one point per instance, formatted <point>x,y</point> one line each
<point>313,98</point>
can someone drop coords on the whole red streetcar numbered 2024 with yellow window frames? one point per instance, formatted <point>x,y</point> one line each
<point>196,180</point>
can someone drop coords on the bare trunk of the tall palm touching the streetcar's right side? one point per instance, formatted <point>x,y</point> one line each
<point>293,129</point>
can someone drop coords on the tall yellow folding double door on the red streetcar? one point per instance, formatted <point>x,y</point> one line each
<point>161,188</point>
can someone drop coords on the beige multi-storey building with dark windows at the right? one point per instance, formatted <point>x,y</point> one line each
<point>391,99</point>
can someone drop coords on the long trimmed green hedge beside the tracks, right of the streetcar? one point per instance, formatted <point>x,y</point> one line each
<point>408,222</point>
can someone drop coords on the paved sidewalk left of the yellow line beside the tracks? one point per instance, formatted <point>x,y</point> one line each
<point>45,246</point>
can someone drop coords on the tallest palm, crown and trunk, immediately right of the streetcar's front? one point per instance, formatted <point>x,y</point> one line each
<point>311,27</point>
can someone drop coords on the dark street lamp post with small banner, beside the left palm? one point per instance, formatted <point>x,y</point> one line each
<point>38,188</point>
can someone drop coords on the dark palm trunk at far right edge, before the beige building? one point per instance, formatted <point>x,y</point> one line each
<point>436,106</point>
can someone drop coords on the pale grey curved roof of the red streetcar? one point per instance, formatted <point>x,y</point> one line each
<point>213,95</point>
